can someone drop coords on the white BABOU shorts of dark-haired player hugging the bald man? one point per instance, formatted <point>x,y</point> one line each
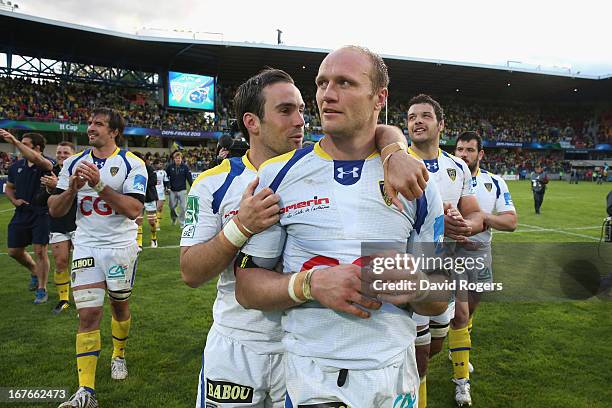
<point>233,375</point>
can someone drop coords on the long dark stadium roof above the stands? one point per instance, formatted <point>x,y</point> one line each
<point>233,62</point>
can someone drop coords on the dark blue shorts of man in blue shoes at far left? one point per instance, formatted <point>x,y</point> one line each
<point>28,228</point>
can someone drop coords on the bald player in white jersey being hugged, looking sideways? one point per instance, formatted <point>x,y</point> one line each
<point>331,201</point>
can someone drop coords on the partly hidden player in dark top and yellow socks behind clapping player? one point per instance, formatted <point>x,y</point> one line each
<point>62,230</point>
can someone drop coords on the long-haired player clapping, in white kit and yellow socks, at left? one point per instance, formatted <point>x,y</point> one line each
<point>109,184</point>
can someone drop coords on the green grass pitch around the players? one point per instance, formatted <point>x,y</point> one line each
<point>526,354</point>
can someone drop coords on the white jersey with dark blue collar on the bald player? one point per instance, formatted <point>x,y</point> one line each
<point>328,209</point>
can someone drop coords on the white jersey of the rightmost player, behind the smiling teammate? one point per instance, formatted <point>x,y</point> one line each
<point>493,197</point>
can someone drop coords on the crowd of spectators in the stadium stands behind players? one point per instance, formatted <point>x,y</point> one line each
<point>26,99</point>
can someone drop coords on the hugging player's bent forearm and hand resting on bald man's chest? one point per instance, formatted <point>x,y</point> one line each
<point>202,262</point>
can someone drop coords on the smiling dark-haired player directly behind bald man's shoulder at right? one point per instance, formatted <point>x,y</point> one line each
<point>462,218</point>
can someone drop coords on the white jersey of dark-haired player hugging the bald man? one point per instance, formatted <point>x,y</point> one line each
<point>213,200</point>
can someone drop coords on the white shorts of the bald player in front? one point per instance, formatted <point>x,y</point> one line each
<point>310,384</point>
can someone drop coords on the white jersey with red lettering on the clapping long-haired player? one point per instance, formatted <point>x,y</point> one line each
<point>98,225</point>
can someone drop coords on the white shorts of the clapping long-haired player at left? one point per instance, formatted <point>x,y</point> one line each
<point>115,266</point>
